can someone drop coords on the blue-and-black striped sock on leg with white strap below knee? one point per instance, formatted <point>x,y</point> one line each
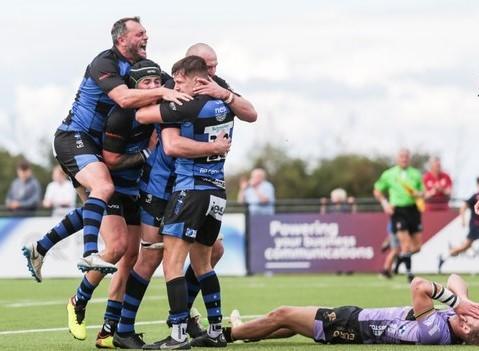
<point>135,290</point>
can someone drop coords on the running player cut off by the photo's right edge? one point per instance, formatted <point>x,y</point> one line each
<point>473,228</point>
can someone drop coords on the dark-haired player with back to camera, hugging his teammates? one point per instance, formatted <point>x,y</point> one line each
<point>193,214</point>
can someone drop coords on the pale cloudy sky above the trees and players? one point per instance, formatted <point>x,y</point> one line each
<point>325,76</point>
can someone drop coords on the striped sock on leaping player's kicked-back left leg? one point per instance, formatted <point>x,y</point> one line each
<point>69,225</point>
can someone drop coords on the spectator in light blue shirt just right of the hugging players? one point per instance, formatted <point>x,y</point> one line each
<point>257,192</point>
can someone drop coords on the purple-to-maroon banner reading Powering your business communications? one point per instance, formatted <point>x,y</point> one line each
<point>336,242</point>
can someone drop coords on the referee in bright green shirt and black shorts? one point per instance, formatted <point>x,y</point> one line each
<point>403,184</point>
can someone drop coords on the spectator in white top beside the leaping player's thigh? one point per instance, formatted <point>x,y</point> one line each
<point>60,194</point>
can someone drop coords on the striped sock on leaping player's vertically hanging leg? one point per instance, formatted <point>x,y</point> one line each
<point>93,210</point>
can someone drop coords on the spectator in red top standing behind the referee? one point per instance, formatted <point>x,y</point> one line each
<point>437,185</point>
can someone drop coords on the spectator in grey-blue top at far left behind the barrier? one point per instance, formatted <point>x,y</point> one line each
<point>24,193</point>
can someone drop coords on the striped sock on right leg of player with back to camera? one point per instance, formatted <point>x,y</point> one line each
<point>210,288</point>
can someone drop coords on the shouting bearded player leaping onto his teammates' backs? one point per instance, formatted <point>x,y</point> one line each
<point>77,141</point>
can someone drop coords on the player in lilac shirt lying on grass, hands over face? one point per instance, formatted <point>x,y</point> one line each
<point>419,324</point>
